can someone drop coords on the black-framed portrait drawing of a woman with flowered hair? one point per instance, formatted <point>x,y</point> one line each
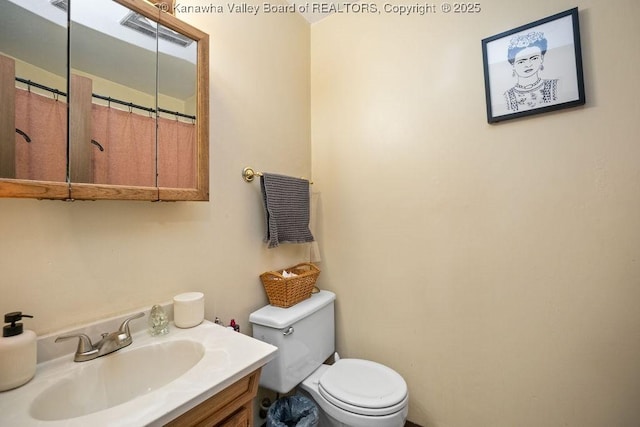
<point>534,68</point>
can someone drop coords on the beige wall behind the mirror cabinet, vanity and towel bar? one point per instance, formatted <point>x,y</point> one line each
<point>70,263</point>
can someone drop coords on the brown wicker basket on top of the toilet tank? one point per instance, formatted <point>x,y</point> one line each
<point>287,291</point>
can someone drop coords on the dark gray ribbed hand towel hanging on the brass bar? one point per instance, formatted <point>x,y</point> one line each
<point>286,203</point>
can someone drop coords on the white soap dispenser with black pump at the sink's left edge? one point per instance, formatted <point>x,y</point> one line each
<point>18,352</point>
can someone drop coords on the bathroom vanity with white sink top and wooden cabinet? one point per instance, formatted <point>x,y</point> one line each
<point>202,376</point>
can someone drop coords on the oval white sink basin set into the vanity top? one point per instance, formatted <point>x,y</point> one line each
<point>115,379</point>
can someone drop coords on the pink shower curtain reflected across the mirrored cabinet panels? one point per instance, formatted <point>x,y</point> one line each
<point>129,157</point>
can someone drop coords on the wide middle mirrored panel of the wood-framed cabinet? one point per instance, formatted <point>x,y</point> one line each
<point>112,95</point>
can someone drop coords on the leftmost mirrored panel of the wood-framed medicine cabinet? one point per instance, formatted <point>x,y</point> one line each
<point>33,85</point>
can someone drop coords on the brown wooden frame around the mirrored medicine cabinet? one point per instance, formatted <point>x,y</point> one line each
<point>22,188</point>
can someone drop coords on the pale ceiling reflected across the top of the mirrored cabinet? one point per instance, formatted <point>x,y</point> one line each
<point>35,32</point>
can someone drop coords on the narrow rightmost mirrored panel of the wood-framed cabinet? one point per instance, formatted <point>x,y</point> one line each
<point>177,96</point>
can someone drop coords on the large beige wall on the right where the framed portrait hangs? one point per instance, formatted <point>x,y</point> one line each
<point>494,266</point>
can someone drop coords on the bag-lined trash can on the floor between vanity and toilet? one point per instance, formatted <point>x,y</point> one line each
<point>291,411</point>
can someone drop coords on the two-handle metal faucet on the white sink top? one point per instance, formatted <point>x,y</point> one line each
<point>109,343</point>
